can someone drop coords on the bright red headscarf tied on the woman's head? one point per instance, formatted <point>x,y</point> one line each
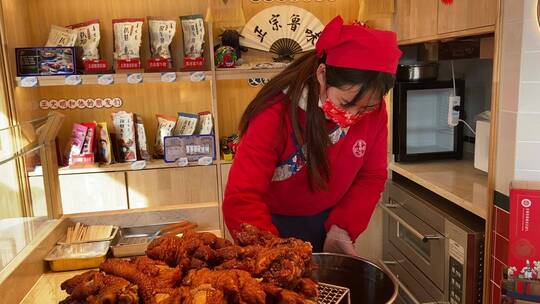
<point>358,47</point>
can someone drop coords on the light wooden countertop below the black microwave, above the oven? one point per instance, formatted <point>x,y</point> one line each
<point>456,180</point>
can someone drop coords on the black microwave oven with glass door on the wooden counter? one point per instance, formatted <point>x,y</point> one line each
<point>421,114</point>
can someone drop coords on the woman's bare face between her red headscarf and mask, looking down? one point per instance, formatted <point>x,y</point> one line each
<point>343,96</point>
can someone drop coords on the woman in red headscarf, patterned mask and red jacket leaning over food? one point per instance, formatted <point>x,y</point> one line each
<point>312,160</point>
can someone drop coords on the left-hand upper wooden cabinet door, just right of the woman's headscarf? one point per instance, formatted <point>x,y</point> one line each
<point>416,18</point>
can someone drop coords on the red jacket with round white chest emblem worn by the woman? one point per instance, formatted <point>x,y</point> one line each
<point>269,175</point>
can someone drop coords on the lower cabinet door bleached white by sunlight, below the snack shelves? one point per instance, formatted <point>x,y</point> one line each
<point>93,192</point>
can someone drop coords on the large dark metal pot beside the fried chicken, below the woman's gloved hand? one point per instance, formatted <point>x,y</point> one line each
<point>367,282</point>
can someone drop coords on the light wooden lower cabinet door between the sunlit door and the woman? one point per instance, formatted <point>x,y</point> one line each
<point>161,187</point>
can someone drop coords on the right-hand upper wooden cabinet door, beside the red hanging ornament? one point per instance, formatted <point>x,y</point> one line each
<point>466,15</point>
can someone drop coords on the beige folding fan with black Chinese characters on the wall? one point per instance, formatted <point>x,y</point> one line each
<point>284,30</point>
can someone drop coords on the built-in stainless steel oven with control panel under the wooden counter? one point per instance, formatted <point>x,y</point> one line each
<point>435,249</point>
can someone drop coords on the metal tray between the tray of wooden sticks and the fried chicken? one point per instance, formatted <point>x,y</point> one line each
<point>132,241</point>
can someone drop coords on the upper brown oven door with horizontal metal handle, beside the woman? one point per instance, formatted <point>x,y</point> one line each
<point>422,245</point>
